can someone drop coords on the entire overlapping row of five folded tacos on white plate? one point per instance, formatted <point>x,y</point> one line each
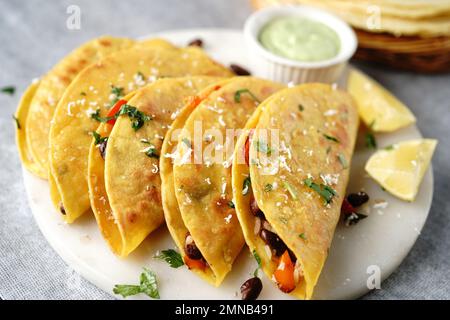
<point>114,129</point>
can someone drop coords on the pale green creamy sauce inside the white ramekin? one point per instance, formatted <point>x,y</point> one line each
<point>300,39</point>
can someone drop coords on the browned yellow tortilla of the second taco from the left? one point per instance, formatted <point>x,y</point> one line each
<point>94,90</point>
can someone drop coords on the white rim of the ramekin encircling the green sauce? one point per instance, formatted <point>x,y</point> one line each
<point>258,19</point>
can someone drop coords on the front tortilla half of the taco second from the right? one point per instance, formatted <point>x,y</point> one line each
<point>203,189</point>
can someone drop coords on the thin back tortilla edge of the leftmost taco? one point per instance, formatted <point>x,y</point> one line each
<point>21,133</point>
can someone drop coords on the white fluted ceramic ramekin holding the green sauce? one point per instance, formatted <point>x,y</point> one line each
<point>265,64</point>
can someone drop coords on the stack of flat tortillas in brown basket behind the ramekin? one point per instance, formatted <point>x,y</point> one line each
<point>405,34</point>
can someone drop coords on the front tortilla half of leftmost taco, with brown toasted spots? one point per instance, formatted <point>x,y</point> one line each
<point>51,89</point>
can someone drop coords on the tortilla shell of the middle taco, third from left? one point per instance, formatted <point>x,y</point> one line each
<point>129,209</point>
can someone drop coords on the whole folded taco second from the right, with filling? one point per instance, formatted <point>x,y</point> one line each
<point>196,187</point>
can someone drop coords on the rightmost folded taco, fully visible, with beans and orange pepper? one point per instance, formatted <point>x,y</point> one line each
<point>290,172</point>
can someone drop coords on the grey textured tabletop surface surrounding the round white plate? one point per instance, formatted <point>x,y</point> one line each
<point>33,37</point>
